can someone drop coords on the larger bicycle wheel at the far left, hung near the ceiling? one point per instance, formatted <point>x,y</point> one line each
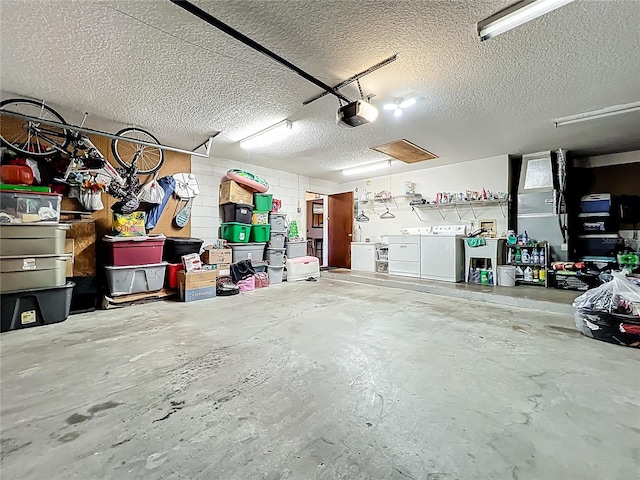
<point>30,137</point>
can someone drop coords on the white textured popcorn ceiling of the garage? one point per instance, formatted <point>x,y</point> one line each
<point>152,64</point>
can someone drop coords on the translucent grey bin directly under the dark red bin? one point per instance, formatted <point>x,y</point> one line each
<point>136,278</point>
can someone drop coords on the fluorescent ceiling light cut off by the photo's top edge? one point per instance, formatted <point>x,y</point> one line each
<point>516,15</point>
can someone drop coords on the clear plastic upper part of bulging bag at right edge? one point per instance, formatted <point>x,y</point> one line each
<point>620,295</point>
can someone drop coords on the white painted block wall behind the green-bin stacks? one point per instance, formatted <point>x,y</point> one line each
<point>288,187</point>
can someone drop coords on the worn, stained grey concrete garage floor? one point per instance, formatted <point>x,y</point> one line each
<point>327,380</point>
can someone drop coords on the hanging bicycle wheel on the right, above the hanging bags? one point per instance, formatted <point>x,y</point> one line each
<point>146,159</point>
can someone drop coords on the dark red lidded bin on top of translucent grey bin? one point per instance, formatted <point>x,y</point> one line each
<point>134,251</point>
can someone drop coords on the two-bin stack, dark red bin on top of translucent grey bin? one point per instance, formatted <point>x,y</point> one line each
<point>136,264</point>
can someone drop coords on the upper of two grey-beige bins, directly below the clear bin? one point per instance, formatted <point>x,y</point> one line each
<point>33,239</point>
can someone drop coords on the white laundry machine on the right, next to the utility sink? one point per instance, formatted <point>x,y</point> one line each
<point>442,253</point>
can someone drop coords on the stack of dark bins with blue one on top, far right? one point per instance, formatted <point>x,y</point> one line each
<point>599,239</point>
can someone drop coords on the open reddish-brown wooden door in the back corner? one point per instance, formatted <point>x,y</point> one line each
<point>340,221</point>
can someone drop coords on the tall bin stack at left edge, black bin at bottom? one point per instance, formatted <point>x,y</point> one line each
<point>33,286</point>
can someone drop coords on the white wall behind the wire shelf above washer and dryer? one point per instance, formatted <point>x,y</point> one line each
<point>489,173</point>
